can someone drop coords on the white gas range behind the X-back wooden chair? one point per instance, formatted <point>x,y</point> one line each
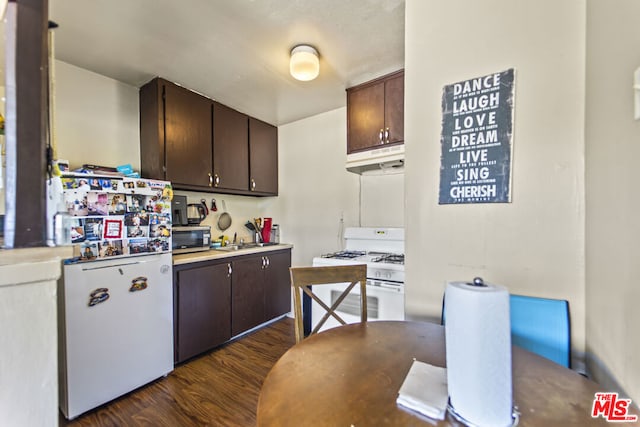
<point>382,249</point>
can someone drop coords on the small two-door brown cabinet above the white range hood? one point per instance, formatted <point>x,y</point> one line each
<point>375,113</point>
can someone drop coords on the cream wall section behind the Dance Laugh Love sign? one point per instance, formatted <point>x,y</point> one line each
<point>534,245</point>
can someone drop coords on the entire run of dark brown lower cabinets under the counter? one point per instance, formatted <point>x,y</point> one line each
<point>217,300</point>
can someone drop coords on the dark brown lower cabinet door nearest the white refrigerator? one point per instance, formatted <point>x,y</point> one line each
<point>203,309</point>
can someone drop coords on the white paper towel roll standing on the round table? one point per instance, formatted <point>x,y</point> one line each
<point>478,343</point>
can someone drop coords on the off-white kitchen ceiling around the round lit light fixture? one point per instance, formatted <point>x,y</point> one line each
<point>235,51</point>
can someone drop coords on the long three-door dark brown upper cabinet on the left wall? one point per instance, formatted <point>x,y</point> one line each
<point>201,145</point>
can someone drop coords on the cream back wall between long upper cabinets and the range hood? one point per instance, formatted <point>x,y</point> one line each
<point>316,191</point>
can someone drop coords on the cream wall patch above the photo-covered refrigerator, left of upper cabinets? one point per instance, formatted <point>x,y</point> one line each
<point>97,118</point>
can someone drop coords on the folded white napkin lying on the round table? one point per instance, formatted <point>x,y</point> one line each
<point>424,390</point>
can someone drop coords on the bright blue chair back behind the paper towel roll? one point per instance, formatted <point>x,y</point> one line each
<point>542,326</point>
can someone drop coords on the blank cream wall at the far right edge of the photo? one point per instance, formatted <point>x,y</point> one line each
<point>612,147</point>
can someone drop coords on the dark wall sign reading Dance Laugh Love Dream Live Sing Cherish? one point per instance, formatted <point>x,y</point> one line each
<point>476,140</point>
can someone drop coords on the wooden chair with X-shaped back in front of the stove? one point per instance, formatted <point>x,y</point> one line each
<point>302,278</point>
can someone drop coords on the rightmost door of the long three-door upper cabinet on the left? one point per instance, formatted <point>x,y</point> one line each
<point>263,159</point>
